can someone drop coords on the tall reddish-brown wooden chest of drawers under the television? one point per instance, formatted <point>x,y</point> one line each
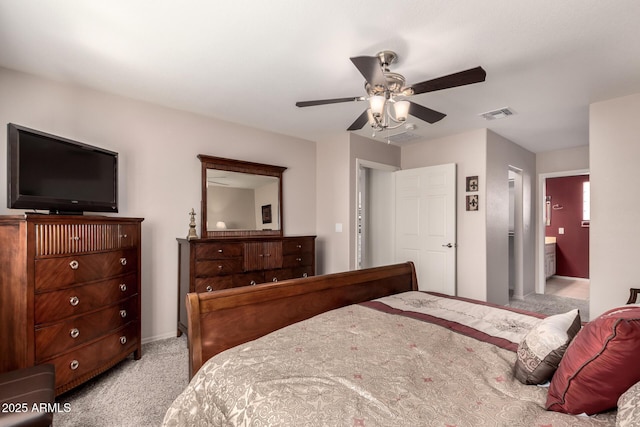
<point>69,293</point>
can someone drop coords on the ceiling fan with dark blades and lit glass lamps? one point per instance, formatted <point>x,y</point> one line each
<point>387,93</point>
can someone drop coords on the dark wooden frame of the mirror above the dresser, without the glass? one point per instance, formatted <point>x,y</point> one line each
<point>219,163</point>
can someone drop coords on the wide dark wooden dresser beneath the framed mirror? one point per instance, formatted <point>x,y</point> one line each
<point>206,265</point>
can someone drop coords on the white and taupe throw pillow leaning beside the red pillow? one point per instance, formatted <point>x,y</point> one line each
<point>542,348</point>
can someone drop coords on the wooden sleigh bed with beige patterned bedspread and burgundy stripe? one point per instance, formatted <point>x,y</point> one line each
<point>363,348</point>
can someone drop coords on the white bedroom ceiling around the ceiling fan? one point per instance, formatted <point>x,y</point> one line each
<point>250,61</point>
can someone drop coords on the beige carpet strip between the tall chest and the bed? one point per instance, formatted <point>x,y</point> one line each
<point>134,393</point>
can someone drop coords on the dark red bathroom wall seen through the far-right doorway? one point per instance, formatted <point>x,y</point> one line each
<point>572,247</point>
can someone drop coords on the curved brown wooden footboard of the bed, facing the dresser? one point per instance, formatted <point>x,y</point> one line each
<point>223,319</point>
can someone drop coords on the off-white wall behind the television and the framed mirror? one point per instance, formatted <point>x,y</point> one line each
<point>159,172</point>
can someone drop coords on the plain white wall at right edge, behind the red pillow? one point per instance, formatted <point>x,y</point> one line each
<point>614,150</point>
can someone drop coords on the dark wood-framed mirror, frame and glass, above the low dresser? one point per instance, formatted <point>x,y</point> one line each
<point>240,198</point>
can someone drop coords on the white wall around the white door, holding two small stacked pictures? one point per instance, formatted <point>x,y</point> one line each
<point>468,151</point>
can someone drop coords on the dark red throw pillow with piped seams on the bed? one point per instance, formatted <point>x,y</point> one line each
<point>600,364</point>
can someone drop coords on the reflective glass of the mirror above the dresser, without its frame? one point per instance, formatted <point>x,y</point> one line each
<point>242,201</point>
